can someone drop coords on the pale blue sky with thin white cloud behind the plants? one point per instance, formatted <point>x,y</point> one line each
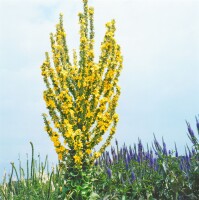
<point>159,82</point>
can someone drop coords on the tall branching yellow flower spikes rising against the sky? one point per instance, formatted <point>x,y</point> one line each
<point>81,95</point>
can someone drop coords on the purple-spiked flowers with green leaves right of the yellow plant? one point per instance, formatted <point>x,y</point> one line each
<point>155,173</point>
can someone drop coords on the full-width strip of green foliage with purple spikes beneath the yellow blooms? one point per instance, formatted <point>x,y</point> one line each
<point>123,173</point>
